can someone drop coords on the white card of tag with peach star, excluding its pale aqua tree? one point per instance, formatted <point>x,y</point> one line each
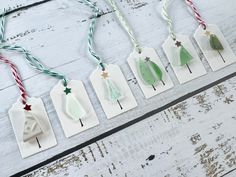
<point>115,75</point>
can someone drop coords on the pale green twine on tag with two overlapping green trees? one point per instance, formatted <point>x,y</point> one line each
<point>125,25</point>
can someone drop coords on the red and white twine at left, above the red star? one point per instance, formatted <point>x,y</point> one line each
<point>17,78</point>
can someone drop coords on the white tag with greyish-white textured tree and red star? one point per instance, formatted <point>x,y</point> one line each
<point>22,122</point>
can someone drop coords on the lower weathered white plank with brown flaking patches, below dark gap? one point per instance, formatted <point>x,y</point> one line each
<point>192,138</point>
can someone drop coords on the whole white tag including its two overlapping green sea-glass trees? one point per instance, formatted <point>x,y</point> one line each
<point>151,81</point>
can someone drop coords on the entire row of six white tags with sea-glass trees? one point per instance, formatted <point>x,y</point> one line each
<point>33,130</point>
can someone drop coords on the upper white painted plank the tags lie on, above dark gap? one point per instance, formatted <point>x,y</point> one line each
<point>60,41</point>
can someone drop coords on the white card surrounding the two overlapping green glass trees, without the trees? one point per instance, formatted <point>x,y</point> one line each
<point>149,91</point>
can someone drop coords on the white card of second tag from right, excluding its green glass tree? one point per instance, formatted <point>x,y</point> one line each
<point>185,73</point>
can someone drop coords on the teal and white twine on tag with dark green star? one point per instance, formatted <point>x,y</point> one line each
<point>32,60</point>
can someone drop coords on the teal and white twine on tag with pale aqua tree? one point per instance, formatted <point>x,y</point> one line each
<point>97,12</point>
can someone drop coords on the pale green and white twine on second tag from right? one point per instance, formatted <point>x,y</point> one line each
<point>168,19</point>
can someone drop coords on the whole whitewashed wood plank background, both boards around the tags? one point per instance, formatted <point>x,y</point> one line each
<point>56,32</point>
